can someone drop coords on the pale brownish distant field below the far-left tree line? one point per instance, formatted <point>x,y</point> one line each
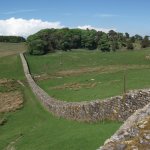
<point>11,48</point>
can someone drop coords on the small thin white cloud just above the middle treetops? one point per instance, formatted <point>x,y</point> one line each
<point>95,28</point>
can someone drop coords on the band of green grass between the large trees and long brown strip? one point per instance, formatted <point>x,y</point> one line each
<point>80,58</point>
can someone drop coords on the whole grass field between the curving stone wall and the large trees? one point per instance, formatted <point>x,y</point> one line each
<point>89,75</point>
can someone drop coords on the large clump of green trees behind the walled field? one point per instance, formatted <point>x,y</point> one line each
<point>51,40</point>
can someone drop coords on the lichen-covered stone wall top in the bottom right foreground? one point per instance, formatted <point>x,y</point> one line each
<point>134,134</point>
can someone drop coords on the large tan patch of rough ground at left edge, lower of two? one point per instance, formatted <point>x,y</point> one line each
<point>10,101</point>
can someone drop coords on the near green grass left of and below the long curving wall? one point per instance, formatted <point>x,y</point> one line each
<point>33,128</point>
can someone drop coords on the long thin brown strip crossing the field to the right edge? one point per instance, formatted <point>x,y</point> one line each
<point>83,70</point>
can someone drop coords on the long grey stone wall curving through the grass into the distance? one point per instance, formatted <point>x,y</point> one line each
<point>115,108</point>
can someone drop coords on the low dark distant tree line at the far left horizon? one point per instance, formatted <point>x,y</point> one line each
<point>12,39</point>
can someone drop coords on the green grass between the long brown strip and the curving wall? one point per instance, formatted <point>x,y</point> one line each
<point>107,85</point>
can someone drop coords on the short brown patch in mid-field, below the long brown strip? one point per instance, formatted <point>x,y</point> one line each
<point>74,86</point>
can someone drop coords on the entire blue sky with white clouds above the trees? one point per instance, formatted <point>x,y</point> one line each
<point>25,17</point>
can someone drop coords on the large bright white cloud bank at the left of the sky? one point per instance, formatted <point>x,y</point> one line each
<point>24,27</point>
